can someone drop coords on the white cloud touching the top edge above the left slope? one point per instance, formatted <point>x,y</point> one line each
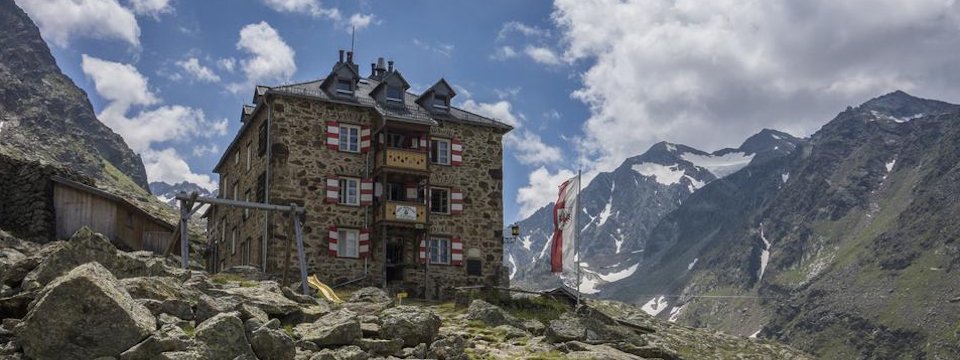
<point>62,20</point>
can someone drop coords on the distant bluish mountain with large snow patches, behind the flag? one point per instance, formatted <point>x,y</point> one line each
<point>621,207</point>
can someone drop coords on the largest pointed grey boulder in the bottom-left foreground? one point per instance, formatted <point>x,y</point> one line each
<point>60,325</point>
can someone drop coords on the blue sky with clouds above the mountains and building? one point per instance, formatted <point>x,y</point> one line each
<point>586,83</point>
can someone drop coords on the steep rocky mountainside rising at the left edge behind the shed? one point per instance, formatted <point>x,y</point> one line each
<point>44,116</point>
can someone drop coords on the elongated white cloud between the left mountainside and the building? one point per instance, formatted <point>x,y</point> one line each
<point>123,87</point>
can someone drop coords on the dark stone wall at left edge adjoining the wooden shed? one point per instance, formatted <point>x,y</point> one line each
<point>26,197</point>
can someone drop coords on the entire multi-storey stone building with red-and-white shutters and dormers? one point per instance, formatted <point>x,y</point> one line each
<point>401,191</point>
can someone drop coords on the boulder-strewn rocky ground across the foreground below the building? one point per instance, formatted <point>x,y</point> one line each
<point>84,299</point>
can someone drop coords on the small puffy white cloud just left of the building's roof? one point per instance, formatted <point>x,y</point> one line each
<point>270,60</point>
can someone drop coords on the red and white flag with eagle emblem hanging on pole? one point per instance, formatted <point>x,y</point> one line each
<point>563,249</point>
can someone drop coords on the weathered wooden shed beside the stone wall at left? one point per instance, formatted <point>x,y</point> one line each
<point>128,226</point>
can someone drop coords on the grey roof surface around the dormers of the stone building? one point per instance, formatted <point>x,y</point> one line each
<point>410,111</point>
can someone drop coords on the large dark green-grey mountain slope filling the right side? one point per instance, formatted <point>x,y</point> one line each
<point>845,248</point>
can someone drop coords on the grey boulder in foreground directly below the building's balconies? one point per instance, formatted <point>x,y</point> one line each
<point>411,323</point>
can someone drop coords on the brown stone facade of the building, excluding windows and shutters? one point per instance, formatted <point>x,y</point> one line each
<point>301,162</point>
